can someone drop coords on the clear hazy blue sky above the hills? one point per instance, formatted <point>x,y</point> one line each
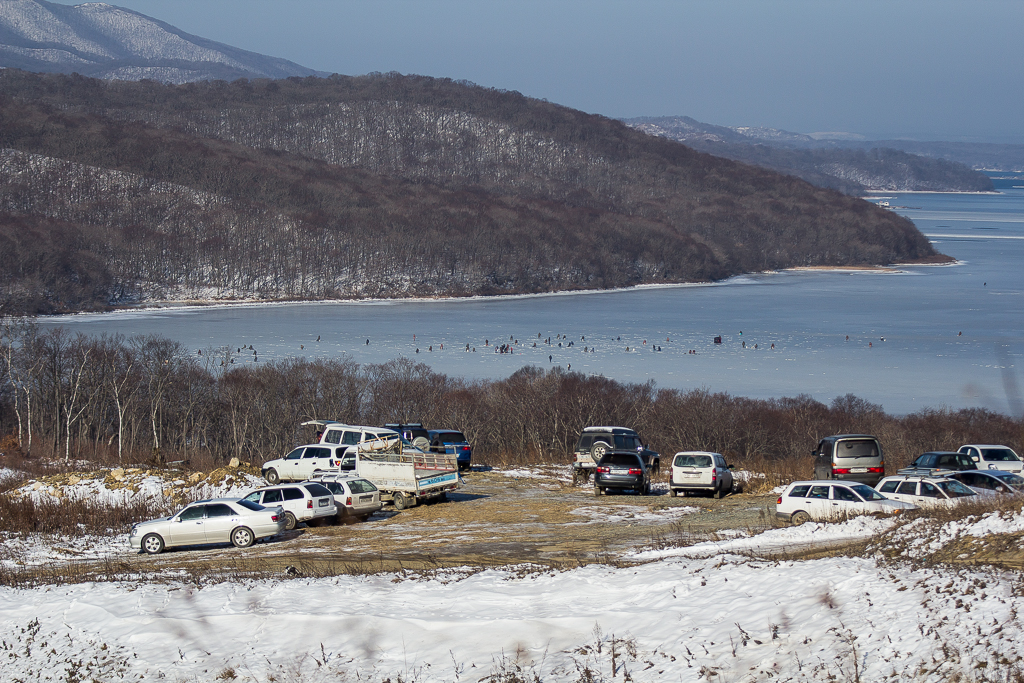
<point>919,69</point>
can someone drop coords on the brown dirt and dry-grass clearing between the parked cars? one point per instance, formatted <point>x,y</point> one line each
<point>531,518</point>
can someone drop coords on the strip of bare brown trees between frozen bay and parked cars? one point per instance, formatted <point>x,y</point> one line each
<point>148,400</point>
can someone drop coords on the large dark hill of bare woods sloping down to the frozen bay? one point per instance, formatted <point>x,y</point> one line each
<point>380,186</point>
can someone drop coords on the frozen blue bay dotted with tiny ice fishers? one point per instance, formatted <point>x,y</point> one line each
<point>919,337</point>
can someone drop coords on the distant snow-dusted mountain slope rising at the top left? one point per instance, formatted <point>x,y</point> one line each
<point>101,40</point>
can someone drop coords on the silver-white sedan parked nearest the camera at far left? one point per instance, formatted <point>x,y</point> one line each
<point>220,521</point>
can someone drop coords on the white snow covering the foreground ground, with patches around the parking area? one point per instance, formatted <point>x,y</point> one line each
<point>722,611</point>
